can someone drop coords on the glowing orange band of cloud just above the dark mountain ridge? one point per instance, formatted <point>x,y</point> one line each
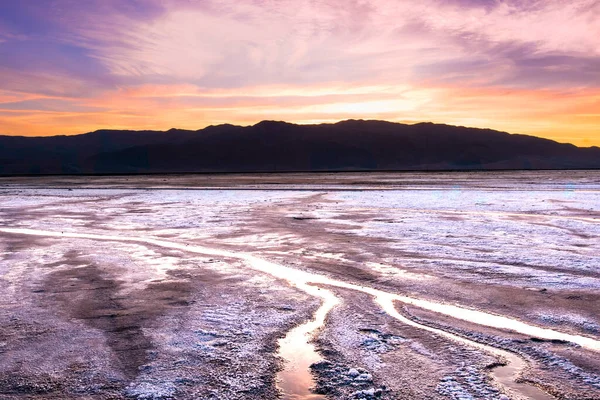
<point>567,116</point>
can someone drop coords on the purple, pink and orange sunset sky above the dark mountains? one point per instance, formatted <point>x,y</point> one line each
<point>522,66</point>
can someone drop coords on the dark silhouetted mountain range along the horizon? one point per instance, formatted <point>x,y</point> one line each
<point>353,145</point>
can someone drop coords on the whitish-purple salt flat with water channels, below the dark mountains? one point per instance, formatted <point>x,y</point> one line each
<point>301,286</point>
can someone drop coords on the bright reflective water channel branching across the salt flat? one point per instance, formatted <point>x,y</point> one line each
<point>302,280</point>
